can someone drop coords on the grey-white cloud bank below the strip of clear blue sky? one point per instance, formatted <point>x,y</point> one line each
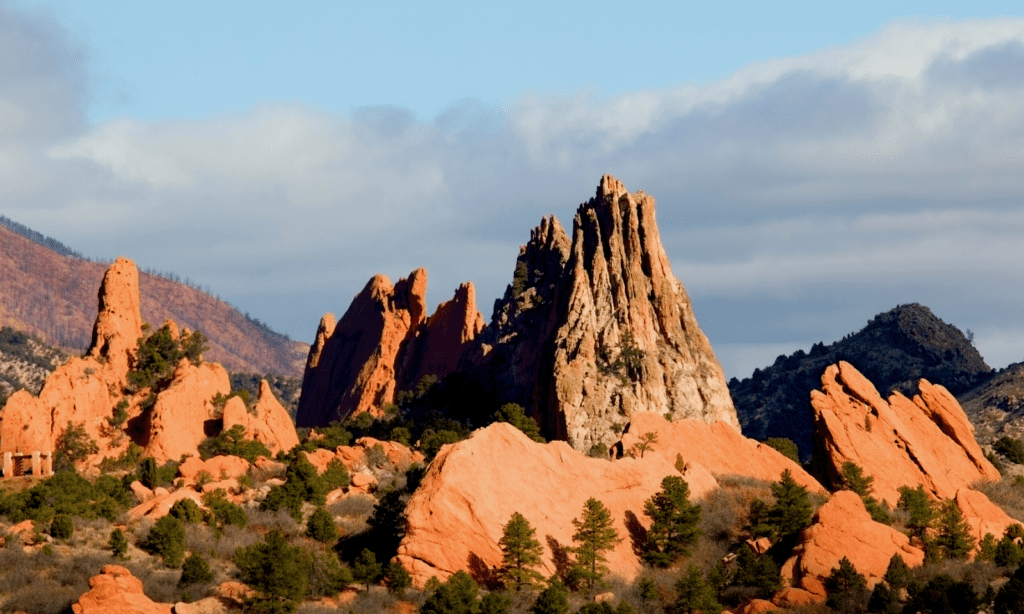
<point>889,164</point>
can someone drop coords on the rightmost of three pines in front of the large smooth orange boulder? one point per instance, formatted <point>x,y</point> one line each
<point>674,523</point>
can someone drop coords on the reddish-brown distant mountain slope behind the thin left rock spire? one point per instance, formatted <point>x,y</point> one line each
<point>54,297</point>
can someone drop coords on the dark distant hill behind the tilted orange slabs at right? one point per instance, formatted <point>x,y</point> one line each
<point>894,350</point>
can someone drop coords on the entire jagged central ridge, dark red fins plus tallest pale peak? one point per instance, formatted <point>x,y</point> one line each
<point>593,329</point>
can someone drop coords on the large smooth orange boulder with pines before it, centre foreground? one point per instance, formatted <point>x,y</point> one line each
<point>472,490</point>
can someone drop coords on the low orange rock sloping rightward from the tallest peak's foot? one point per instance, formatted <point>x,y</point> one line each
<point>717,447</point>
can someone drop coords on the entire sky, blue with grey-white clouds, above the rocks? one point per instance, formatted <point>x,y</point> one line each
<point>814,166</point>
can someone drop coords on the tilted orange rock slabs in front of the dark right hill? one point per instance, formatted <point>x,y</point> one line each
<point>927,441</point>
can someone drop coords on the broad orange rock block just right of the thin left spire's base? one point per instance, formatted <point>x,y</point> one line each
<point>179,422</point>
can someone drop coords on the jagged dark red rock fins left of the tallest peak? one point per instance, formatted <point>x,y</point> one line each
<point>383,343</point>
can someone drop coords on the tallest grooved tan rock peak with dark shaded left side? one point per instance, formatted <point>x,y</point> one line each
<point>595,328</point>
